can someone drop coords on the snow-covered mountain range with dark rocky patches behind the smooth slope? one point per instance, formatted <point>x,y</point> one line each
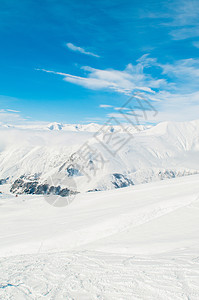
<point>79,158</point>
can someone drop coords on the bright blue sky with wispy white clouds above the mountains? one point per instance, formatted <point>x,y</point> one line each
<point>79,61</point>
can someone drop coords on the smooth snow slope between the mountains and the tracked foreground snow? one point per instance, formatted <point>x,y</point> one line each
<point>93,217</point>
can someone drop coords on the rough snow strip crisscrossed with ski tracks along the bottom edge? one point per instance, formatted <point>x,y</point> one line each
<point>98,275</point>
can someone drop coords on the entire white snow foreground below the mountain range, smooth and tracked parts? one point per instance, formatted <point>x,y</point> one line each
<point>141,242</point>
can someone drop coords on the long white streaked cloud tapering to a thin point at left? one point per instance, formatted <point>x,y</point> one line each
<point>125,82</point>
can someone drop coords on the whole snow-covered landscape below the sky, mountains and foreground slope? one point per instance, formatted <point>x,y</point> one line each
<point>140,242</point>
